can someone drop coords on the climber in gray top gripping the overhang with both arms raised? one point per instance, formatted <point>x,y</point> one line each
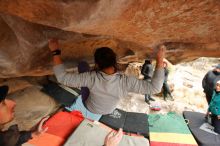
<point>106,85</point>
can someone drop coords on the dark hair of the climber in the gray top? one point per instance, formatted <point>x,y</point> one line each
<point>105,57</point>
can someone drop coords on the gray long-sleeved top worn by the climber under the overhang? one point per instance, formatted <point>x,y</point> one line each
<point>106,90</point>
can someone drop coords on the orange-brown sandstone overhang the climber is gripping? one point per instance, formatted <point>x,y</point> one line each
<point>190,29</point>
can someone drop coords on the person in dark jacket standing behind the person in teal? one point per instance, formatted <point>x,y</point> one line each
<point>208,82</point>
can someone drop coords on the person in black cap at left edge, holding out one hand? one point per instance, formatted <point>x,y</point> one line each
<point>12,136</point>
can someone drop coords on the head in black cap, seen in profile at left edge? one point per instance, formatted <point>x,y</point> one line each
<point>6,106</point>
